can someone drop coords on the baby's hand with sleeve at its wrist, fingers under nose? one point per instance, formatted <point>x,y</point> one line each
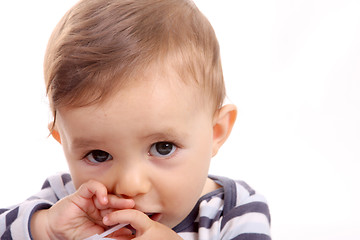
<point>79,215</point>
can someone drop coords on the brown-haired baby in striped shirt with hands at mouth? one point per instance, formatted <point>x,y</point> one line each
<point>136,91</point>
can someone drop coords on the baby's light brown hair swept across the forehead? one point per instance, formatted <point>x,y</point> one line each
<point>101,44</point>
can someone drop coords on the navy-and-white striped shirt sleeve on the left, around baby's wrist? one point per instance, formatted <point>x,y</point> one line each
<point>15,220</point>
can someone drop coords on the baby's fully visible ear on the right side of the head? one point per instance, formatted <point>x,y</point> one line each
<point>223,122</point>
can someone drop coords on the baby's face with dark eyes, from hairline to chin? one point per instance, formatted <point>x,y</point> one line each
<point>150,142</point>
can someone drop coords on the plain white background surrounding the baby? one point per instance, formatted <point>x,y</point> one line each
<point>291,67</point>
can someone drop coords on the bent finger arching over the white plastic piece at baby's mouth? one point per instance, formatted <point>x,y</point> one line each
<point>137,219</point>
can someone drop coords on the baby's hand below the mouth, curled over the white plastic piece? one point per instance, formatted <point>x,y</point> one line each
<point>145,227</point>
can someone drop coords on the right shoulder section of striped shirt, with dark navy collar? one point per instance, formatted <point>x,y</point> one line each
<point>234,211</point>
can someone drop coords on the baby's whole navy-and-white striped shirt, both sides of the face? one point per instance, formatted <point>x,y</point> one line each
<point>233,212</point>
